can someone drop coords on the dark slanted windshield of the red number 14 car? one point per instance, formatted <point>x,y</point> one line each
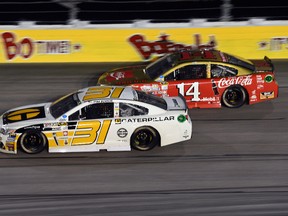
<point>157,68</point>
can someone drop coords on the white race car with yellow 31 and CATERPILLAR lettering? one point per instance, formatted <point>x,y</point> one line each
<point>112,118</point>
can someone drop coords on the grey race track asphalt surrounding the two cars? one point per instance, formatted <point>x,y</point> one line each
<point>235,164</point>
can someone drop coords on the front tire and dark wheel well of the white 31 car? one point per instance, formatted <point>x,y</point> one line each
<point>32,142</point>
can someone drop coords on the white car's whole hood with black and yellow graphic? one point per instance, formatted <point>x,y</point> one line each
<point>27,113</point>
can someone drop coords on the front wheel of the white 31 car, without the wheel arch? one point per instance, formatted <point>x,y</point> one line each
<point>32,142</point>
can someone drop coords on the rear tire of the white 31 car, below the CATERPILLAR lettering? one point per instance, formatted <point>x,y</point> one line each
<point>144,139</point>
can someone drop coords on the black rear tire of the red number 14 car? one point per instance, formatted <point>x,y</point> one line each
<point>234,96</point>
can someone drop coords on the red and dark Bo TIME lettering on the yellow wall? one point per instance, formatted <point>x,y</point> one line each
<point>26,47</point>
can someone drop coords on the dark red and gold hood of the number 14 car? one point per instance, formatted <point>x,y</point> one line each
<point>125,76</point>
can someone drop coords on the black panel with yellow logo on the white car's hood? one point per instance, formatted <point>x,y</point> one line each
<point>26,114</point>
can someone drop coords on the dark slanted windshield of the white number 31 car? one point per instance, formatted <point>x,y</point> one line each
<point>64,104</point>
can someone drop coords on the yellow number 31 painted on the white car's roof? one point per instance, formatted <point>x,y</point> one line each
<point>103,92</point>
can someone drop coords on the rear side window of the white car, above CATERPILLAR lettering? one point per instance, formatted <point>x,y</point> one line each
<point>127,109</point>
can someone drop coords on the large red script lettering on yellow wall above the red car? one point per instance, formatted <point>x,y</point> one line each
<point>164,45</point>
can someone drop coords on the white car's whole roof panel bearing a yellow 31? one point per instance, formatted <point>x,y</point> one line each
<point>96,93</point>
